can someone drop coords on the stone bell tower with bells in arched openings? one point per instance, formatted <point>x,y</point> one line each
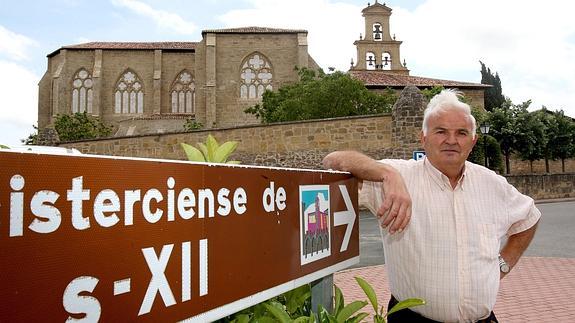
<point>376,49</point>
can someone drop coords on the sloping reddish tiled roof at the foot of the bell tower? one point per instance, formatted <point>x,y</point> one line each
<point>383,79</point>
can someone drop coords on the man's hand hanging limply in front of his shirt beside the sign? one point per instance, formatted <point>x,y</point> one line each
<point>396,207</point>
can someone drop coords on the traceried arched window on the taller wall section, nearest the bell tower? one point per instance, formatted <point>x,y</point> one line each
<point>256,76</point>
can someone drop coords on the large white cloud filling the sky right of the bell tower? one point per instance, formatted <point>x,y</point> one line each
<point>525,42</point>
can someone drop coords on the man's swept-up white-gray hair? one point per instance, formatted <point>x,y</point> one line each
<point>444,101</point>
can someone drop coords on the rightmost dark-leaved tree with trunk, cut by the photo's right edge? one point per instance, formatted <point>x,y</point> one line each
<point>562,139</point>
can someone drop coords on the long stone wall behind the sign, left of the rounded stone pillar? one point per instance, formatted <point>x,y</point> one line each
<point>290,144</point>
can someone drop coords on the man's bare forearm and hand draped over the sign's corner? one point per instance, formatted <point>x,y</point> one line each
<point>396,205</point>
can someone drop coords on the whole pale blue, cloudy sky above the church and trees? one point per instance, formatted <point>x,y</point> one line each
<point>530,44</point>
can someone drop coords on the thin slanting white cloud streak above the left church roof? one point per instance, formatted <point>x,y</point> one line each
<point>163,19</point>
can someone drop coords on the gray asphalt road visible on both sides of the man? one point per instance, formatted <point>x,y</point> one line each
<point>555,235</point>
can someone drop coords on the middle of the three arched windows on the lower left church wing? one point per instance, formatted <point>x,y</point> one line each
<point>129,94</point>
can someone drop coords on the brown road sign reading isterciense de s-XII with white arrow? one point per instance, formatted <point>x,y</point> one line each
<point>124,239</point>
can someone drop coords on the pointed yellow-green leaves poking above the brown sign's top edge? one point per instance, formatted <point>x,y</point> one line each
<point>211,151</point>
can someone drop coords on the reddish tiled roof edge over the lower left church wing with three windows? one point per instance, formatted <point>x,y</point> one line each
<point>131,45</point>
